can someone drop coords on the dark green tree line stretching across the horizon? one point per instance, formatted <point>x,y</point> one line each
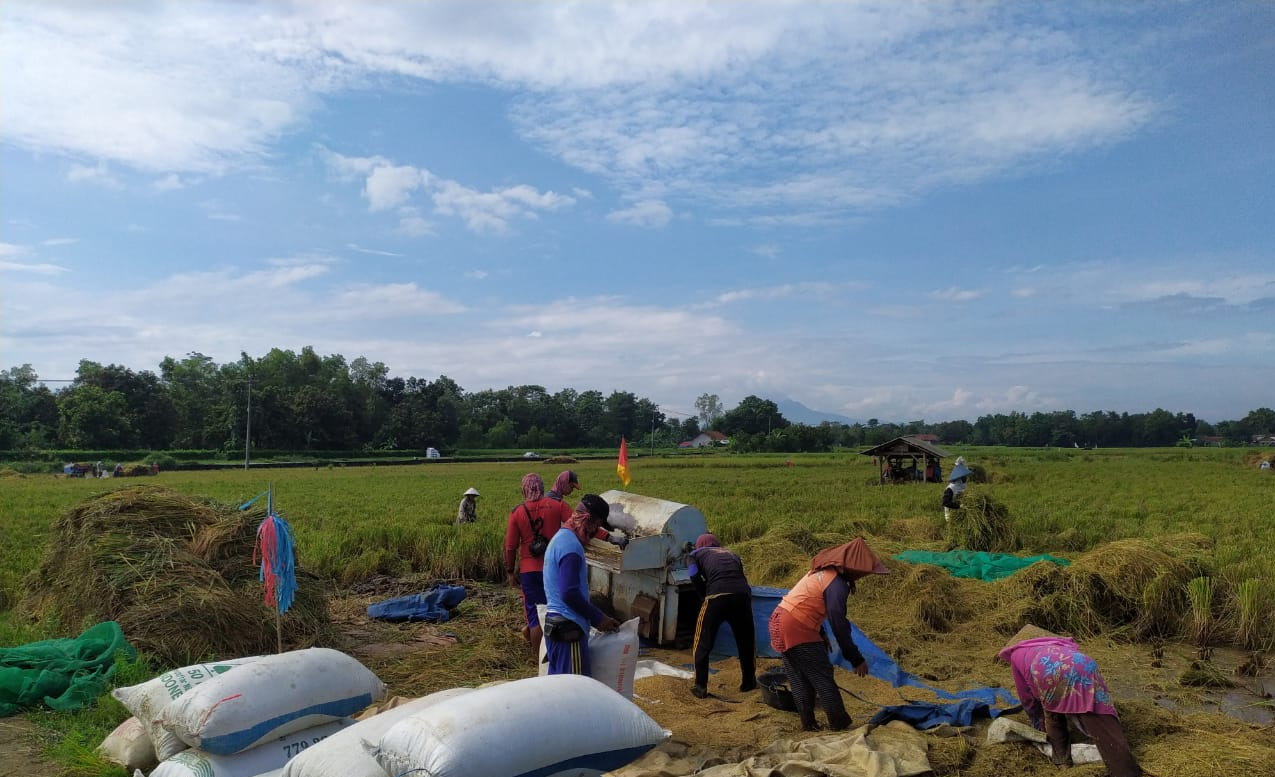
<point>289,401</point>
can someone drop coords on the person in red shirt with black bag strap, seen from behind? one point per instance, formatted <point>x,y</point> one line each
<point>527,534</point>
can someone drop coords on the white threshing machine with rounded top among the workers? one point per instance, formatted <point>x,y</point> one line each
<point>650,579</point>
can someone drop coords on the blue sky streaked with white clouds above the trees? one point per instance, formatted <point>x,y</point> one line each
<point>898,211</point>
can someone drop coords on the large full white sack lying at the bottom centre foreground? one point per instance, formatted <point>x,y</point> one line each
<point>498,733</point>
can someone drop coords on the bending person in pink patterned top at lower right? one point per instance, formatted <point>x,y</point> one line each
<point>1056,683</point>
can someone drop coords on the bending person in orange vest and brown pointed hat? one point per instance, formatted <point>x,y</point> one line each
<point>796,630</point>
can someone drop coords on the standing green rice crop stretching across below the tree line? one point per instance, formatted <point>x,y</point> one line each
<point>355,522</point>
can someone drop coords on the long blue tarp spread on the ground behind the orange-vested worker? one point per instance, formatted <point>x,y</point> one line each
<point>958,709</point>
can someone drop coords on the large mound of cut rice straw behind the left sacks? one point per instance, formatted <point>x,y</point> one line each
<point>175,572</point>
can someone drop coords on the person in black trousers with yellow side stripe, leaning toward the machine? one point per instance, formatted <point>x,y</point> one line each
<point>718,575</point>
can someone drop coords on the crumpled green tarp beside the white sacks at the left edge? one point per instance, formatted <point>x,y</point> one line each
<point>63,674</point>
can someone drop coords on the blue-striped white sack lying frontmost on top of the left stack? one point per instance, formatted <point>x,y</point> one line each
<point>271,699</point>
